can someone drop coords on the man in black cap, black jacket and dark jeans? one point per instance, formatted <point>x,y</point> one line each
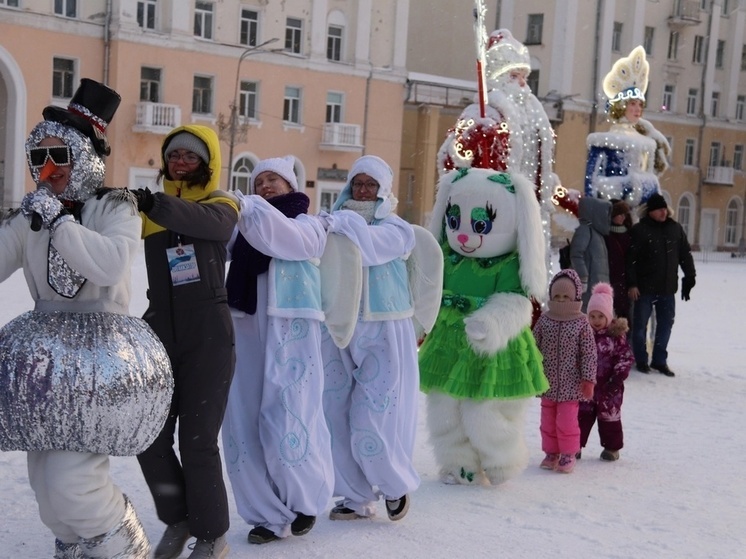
<point>658,248</point>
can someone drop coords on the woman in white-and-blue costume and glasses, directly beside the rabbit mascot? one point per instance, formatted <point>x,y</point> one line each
<point>371,390</point>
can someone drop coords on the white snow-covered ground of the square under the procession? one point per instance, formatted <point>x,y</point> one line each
<point>678,490</point>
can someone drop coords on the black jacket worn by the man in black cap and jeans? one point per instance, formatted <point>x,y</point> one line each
<point>656,251</point>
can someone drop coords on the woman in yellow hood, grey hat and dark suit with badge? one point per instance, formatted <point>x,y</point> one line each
<point>186,228</point>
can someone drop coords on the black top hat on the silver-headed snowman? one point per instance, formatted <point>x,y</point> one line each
<point>90,111</point>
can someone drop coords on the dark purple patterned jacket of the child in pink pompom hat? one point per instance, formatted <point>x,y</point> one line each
<point>614,361</point>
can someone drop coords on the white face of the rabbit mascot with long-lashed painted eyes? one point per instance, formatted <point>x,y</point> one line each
<point>480,218</point>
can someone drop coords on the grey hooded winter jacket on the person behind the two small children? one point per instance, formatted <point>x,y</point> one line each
<point>588,248</point>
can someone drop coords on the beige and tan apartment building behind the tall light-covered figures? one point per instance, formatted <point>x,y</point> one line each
<point>696,94</point>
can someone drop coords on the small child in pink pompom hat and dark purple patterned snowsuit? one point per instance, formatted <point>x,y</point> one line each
<point>614,361</point>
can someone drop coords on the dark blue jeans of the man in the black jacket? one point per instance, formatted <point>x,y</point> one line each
<point>665,312</point>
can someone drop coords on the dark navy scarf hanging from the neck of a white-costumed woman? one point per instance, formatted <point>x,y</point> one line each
<point>247,262</point>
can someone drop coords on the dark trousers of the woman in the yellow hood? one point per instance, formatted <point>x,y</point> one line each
<point>200,345</point>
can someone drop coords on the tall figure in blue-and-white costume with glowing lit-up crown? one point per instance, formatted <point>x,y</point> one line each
<point>624,163</point>
